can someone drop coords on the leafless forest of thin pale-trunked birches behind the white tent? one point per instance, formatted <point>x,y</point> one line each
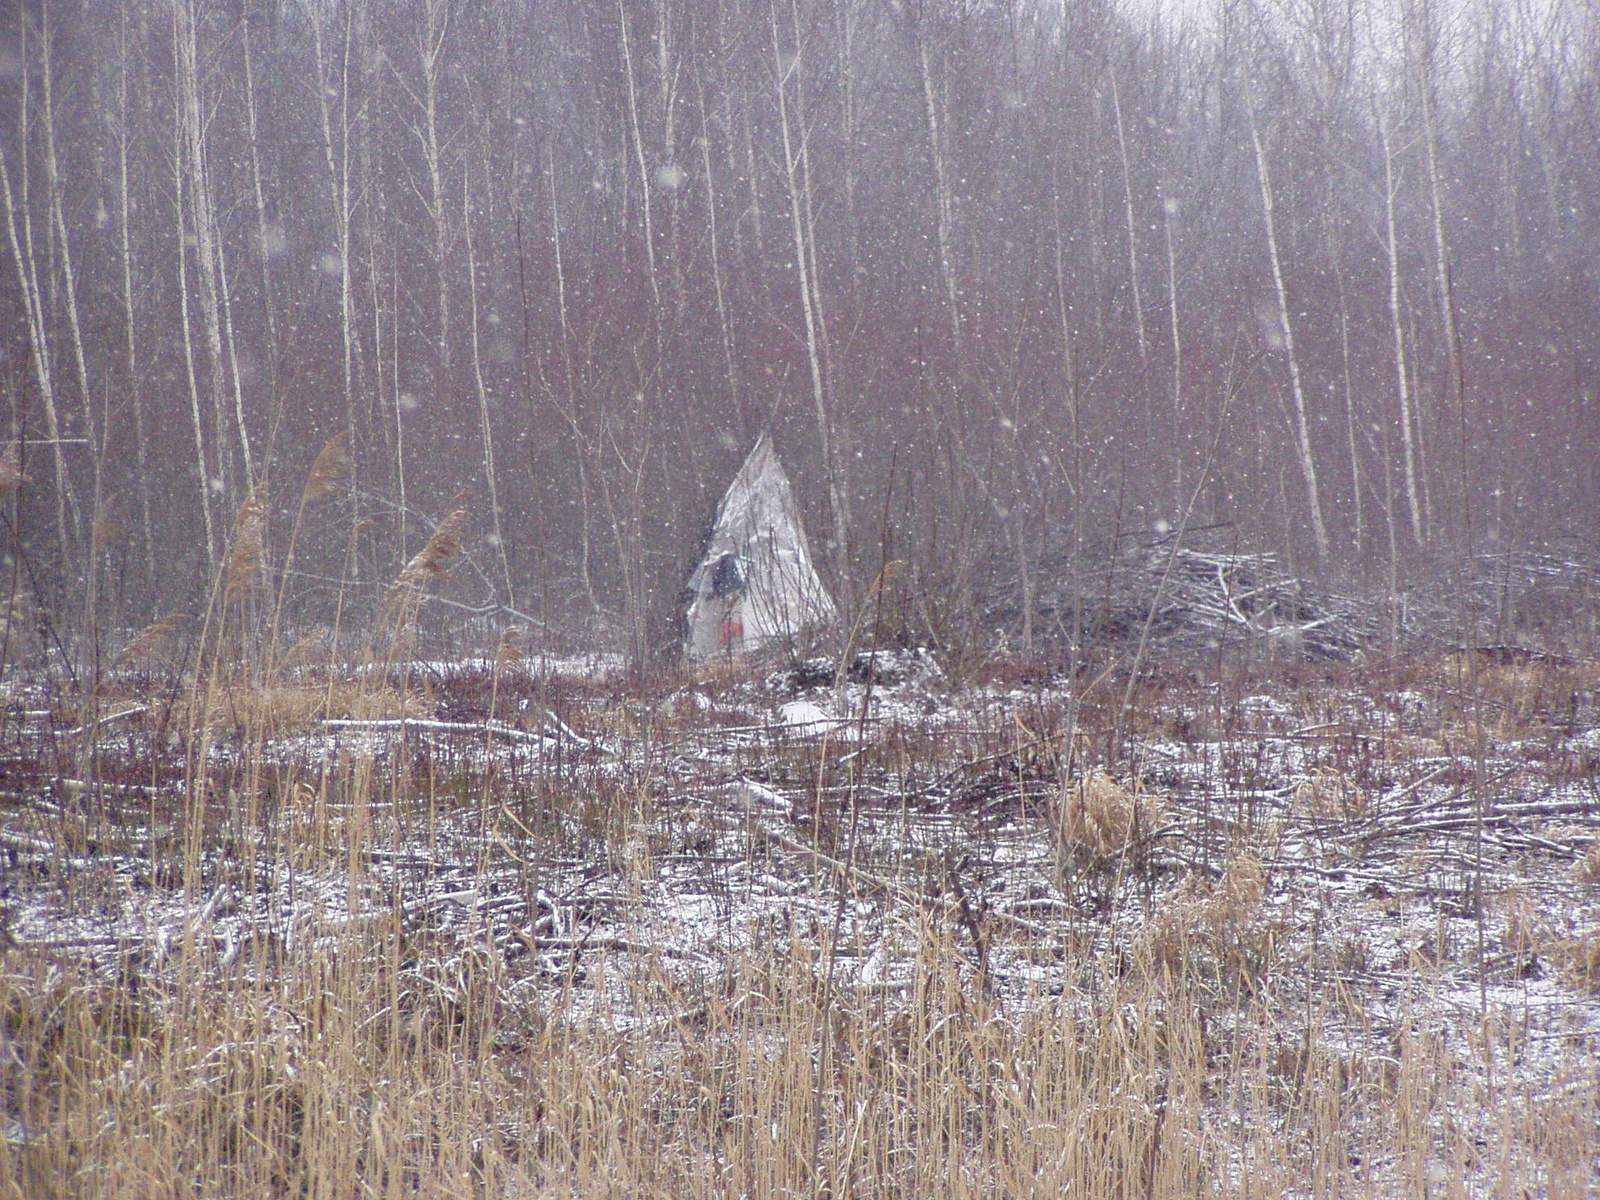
<point>1004,279</point>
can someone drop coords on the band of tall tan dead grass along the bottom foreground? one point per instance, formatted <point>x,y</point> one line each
<point>354,1073</point>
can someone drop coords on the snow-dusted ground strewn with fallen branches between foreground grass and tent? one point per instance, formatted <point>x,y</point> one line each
<point>1375,857</point>
